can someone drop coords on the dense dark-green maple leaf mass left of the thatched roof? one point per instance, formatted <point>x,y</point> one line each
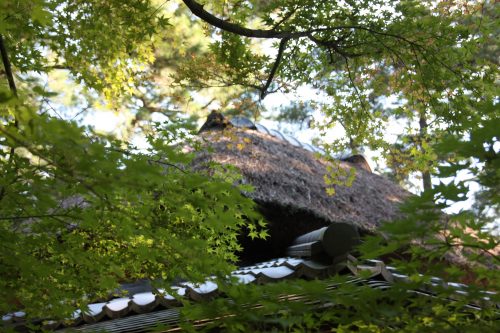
<point>81,213</point>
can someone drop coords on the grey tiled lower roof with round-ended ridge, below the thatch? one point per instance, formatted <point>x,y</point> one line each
<point>145,307</point>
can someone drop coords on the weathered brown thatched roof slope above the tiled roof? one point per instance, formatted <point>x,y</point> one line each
<point>290,187</point>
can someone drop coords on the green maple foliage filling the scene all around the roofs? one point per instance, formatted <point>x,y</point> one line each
<point>81,212</point>
